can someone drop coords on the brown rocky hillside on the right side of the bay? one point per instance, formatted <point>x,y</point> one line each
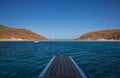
<point>102,35</point>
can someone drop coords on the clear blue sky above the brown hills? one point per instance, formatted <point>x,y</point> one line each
<point>61,19</point>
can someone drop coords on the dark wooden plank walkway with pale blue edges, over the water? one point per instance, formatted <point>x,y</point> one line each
<point>62,67</point>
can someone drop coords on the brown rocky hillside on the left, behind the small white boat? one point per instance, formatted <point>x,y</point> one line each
<point>18,34</point>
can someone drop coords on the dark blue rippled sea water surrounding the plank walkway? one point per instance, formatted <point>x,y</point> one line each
<point>27,59</point>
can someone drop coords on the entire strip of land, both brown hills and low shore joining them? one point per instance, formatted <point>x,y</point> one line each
<point>16,34</point>
